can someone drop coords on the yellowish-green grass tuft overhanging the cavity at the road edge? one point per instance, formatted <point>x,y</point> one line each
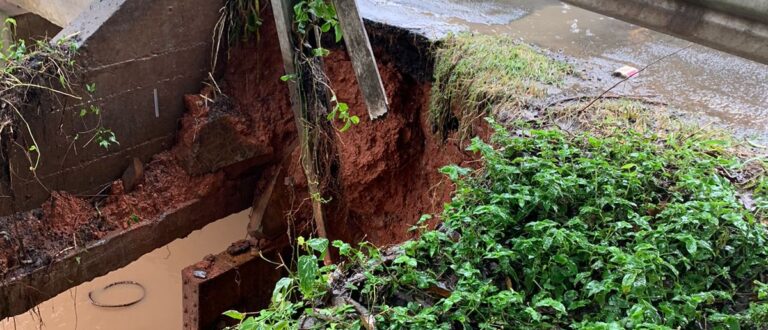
<point>478,75</point>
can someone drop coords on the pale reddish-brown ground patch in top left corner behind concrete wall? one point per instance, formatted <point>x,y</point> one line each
<point>60,12</point>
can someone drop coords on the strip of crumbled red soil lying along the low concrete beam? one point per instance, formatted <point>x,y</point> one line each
<point>36,238</point>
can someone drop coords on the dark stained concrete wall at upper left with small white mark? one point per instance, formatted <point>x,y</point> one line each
<point>129,49</point>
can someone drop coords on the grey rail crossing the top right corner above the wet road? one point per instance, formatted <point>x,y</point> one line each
<point>738,27</point>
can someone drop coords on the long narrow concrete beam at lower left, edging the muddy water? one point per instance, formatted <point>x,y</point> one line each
<point>17,295</point>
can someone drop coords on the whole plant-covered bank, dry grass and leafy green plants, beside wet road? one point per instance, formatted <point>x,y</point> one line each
<point>604,215</point>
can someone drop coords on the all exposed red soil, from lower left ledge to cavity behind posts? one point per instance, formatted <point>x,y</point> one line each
<point>387,170</point>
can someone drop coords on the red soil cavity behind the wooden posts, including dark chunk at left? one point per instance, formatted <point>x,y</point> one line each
<point>387,169</point>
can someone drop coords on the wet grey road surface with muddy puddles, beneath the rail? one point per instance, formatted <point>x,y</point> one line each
<point>706,85</point>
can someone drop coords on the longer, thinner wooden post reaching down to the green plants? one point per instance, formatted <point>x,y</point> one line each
<point>283,12</point>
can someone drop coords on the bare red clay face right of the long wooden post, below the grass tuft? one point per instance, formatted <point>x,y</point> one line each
<point>389,167</point>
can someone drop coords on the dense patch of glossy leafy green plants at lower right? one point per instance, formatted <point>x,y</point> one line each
<point>555,231</point>
